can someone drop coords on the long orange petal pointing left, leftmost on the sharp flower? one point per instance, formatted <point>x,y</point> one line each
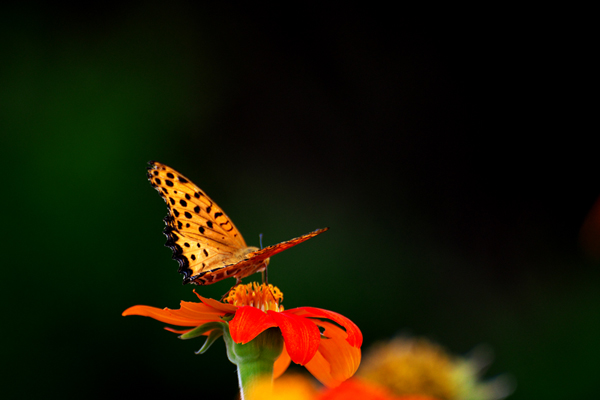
<point>190,314</point>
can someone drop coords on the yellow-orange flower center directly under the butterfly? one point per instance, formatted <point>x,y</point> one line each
<point>264,297</point>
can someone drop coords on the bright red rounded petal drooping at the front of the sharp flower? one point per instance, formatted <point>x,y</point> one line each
<point>301,335</point>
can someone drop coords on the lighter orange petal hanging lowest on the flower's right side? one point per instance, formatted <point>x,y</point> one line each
<point>336,359</point>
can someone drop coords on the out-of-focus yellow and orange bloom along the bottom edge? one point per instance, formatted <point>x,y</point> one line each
<point>401,369</point>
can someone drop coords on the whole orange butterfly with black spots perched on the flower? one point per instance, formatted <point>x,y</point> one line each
<point>204,241</point>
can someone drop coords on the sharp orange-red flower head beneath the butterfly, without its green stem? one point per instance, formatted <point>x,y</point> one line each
<point>331,354</point>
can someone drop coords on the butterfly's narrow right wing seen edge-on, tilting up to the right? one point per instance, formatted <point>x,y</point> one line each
<point>253,262</point>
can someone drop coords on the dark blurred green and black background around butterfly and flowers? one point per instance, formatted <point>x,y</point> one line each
<point>447,155</point>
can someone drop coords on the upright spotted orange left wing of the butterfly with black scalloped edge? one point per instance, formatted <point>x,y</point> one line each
<point>198,232</point>
